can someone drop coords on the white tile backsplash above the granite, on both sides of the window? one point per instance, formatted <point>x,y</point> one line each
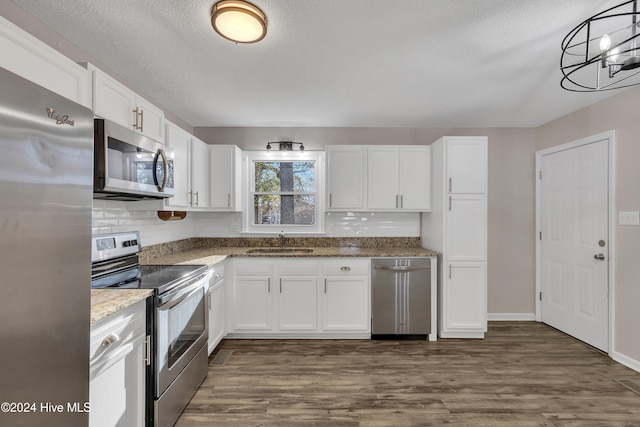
<point>112,216</point>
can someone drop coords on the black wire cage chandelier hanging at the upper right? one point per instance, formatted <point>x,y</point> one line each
<point>603,52</point>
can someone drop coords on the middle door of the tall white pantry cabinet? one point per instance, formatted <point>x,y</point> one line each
<point>466,227</point>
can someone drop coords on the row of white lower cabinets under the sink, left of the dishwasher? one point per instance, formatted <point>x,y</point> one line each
<point>283,297</point>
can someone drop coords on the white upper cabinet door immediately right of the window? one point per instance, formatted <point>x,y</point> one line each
<point>346,174</point>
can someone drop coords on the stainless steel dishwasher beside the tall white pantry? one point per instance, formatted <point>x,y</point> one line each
<point>401,298</point>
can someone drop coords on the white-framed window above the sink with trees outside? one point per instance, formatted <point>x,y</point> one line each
<point>284,192</point>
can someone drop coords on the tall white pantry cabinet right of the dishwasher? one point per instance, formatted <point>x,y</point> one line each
<point>457,228</point>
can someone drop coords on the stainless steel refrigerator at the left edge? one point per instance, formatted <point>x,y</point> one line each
<point>46,164</point>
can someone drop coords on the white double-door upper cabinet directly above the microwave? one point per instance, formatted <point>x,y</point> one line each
<point>115,102</point>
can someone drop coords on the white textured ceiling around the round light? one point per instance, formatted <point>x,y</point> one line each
<point>339,63</point>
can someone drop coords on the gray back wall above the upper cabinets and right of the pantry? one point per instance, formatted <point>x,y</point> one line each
<point>511,257</point>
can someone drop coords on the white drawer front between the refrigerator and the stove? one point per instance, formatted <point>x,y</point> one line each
<point>119,328</point>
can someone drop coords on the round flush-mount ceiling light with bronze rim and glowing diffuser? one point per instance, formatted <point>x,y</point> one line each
<point>239,21</point>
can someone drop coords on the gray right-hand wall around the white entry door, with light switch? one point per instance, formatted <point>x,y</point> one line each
<point>619,113</point>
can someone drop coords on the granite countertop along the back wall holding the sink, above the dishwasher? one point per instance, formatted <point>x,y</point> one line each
<point>210,256</point>
